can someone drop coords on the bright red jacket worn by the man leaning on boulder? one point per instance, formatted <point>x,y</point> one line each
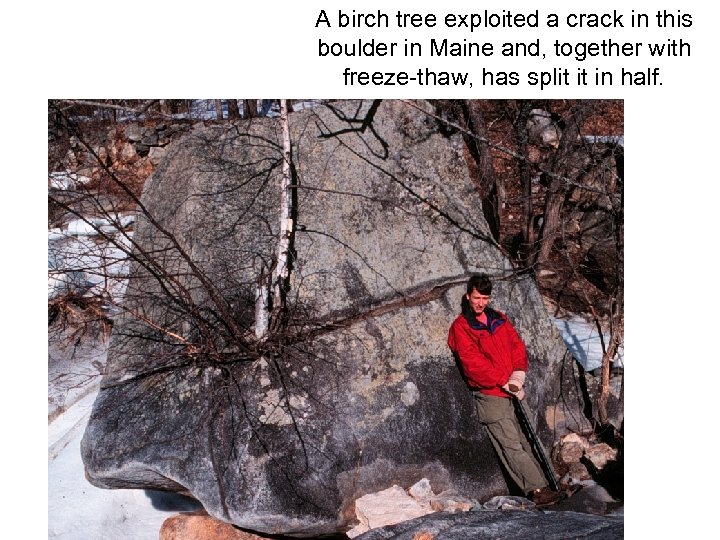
<point>488,353</point>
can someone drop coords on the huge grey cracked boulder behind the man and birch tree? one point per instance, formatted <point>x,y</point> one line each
<point>357,391</point>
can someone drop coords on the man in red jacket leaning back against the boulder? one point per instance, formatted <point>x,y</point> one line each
<point>494,363</point>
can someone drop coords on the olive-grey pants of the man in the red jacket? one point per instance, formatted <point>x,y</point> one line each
<point>511,445</point>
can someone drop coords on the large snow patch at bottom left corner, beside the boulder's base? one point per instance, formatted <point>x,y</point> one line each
<point>77,510</point>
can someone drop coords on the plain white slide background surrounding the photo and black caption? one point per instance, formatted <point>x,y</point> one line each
<point>161,49</point>
